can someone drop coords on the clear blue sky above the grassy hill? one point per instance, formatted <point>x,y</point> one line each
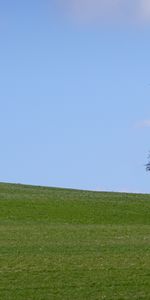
<point>75,94</point>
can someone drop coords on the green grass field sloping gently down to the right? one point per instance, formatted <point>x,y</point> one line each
<point>67,244</point>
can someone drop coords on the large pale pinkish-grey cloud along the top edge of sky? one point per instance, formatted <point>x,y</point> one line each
<point>88,11</point>
